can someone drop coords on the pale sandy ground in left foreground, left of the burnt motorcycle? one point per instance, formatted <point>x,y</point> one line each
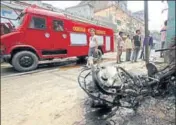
<point>50,98</point>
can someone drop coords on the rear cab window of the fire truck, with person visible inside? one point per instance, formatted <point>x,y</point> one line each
<point>58,25</point>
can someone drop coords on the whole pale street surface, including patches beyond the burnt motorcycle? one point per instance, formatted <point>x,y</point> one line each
<point>51,97</point>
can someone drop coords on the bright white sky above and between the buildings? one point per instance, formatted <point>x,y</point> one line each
<point>155,8</point>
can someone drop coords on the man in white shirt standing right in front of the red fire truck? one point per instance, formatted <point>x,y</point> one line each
<point>93,45</point>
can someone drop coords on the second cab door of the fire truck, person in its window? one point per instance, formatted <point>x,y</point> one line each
<point>59,37</point>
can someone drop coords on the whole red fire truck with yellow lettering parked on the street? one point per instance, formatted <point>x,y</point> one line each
<point>44,35</point>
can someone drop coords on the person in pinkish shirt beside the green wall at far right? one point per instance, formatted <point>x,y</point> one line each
<point>163,37</point>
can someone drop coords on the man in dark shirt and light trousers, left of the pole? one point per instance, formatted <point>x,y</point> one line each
<point>137,45</point>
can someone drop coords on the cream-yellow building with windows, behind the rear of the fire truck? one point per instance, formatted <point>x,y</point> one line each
<point>124,20</point>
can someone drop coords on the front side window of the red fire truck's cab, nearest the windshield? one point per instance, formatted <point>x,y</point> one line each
<point>38,23</point>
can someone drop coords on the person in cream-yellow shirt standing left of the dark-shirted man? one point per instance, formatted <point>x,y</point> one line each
<point>128,46</point>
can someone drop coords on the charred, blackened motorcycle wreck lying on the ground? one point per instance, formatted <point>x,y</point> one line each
<point>134,88</point>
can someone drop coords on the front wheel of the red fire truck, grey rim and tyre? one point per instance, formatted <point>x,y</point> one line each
<point>25,61</point>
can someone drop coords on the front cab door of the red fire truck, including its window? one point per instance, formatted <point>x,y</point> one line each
<point>37,33</point>
